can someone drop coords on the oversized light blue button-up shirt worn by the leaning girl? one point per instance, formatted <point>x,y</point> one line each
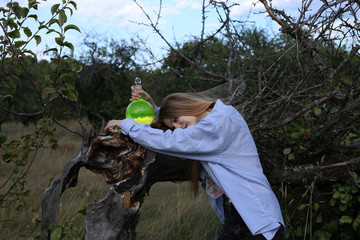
<point>223,143</point>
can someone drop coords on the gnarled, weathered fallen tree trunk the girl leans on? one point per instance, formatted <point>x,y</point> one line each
<point>129,168</point>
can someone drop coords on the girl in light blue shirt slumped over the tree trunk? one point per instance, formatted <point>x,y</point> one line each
<point>218,137</point>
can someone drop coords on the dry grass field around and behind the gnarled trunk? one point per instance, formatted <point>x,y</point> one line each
<point>169,212</point>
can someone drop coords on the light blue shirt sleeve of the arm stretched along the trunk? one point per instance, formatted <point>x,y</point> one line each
<point>201,141</point>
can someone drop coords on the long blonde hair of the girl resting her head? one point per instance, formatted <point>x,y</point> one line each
<point>184,104</point>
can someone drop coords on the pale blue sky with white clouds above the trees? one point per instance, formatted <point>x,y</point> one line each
<point>124,19</point>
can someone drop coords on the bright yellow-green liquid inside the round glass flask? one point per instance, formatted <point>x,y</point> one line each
<point>141,111</point>
